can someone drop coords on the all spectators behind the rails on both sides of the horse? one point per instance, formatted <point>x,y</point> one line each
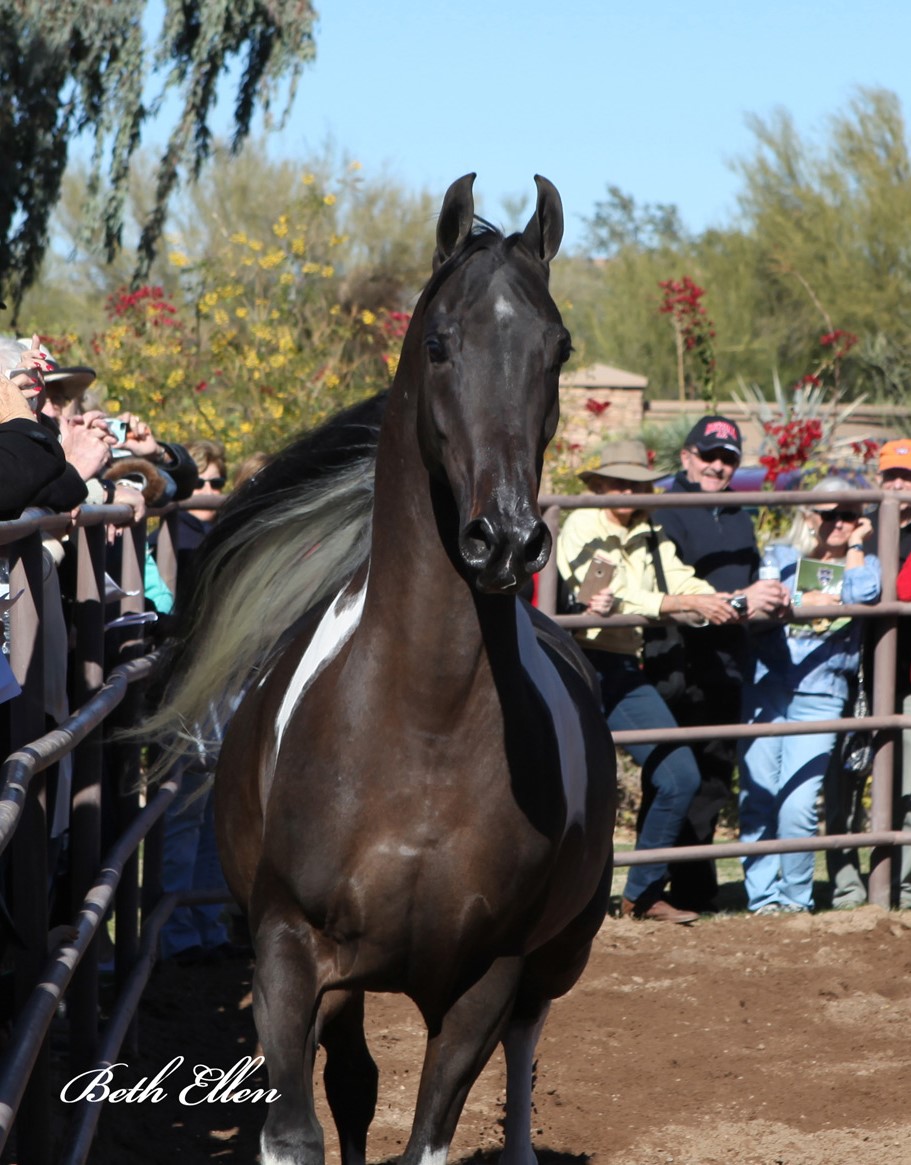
<point>730,636</point>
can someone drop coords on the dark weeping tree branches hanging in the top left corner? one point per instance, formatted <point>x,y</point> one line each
<point>82,68</point>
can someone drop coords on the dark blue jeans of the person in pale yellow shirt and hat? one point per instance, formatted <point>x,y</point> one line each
<point>670,775</point>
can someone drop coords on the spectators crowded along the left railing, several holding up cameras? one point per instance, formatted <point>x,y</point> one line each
<point>60,453</point>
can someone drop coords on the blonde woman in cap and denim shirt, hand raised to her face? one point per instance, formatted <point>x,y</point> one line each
<point>803,673</point>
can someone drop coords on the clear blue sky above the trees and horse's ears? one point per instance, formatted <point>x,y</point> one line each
<point>651,97</point>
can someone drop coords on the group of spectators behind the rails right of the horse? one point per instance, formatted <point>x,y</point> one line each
<point>739,634</point>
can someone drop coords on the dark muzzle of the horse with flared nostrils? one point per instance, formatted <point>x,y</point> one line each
<point>503,560</point>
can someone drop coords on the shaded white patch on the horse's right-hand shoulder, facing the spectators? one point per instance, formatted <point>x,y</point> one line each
<point>564,712</point>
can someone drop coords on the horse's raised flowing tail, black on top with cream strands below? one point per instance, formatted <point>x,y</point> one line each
<point>283,547</point>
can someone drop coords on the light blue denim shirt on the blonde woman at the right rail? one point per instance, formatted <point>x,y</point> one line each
<point>822,662</point>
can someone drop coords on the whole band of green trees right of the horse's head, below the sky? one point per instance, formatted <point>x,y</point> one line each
<point>822,244</point>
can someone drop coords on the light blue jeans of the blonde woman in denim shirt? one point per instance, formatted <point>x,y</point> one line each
<point>780,782</point>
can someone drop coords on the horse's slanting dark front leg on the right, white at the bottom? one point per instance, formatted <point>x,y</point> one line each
<point>455,1058</point>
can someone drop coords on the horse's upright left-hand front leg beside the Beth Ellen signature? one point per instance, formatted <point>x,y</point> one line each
<point>285,1006</point>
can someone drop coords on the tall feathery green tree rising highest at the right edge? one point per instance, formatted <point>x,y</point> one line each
<point>832,228</point>
